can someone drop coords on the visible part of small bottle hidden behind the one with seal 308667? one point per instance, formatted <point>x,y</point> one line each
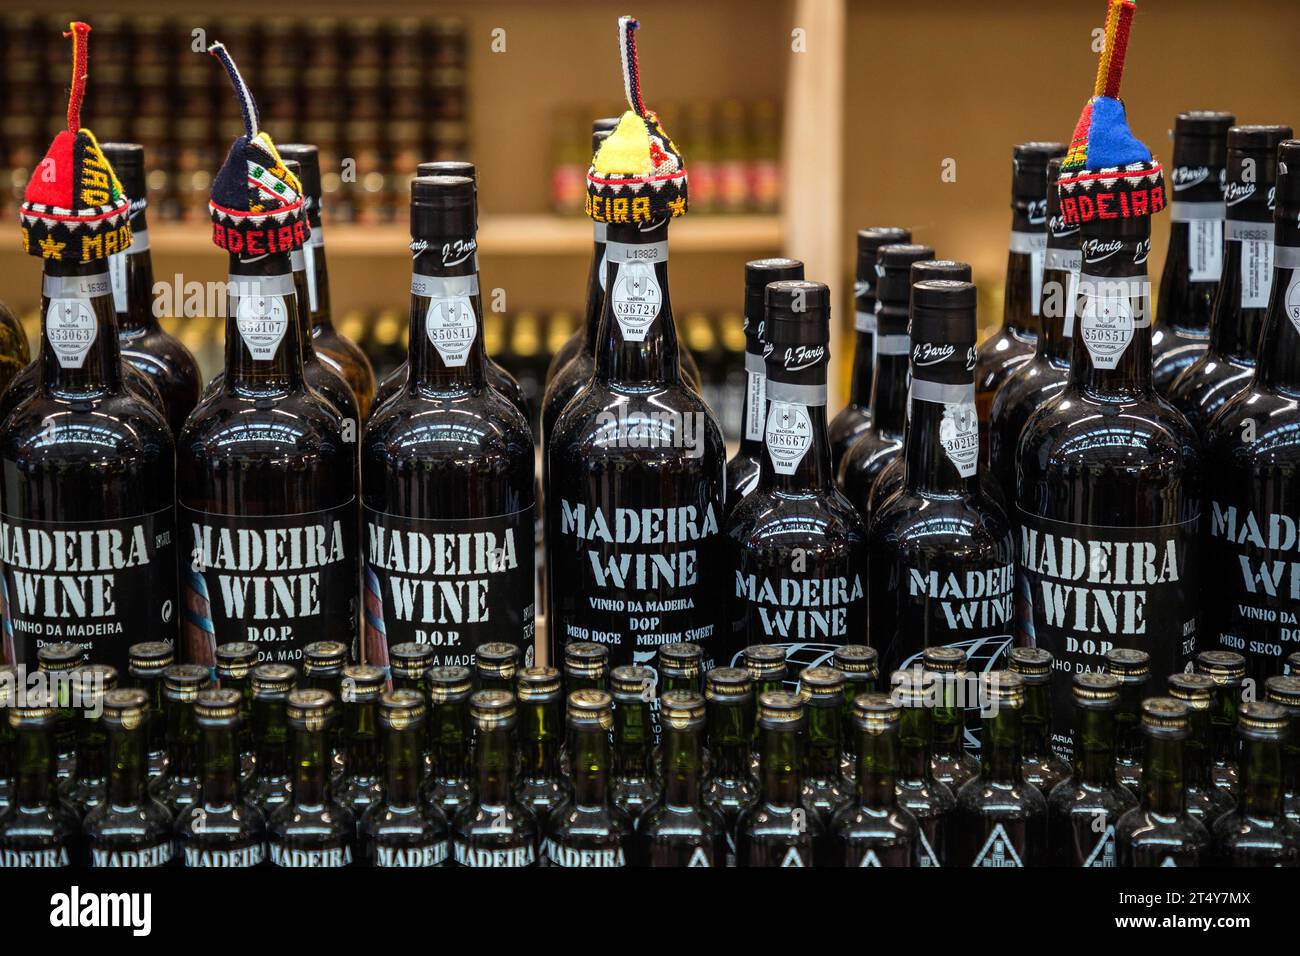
<point>746,465</point>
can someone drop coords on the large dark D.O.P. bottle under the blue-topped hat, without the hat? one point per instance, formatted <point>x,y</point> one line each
<point>1110,490</point>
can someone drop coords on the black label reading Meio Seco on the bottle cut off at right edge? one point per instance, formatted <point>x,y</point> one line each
<point>1255,566</point>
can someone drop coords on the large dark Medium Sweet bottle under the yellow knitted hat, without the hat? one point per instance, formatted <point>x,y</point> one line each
<point>639,464</point>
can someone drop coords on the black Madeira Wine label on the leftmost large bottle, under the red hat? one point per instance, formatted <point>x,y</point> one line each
<point>101,585</point>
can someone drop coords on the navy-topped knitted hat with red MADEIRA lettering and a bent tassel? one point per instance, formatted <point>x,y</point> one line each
<point>257,205</point>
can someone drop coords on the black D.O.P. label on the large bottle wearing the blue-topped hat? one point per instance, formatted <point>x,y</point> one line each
<point>1087,590</point>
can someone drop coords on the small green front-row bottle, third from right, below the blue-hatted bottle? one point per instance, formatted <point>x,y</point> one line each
<point>1085,808</point>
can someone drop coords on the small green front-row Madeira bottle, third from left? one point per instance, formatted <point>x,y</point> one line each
<point>222,828</point>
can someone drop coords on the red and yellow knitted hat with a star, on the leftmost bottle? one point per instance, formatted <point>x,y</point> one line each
<point>75,209</point>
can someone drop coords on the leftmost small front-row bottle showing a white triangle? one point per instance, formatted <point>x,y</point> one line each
<point>681,829</point>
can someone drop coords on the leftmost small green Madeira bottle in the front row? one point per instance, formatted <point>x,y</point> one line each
<point>38,829</point>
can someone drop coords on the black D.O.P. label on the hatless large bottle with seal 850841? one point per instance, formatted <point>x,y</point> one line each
<point>453,585</point>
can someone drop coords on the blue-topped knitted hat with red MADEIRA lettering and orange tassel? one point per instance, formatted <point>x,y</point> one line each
<point>1110,174</point>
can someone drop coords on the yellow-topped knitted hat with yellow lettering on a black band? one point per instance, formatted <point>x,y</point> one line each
<point>638,175</point>
